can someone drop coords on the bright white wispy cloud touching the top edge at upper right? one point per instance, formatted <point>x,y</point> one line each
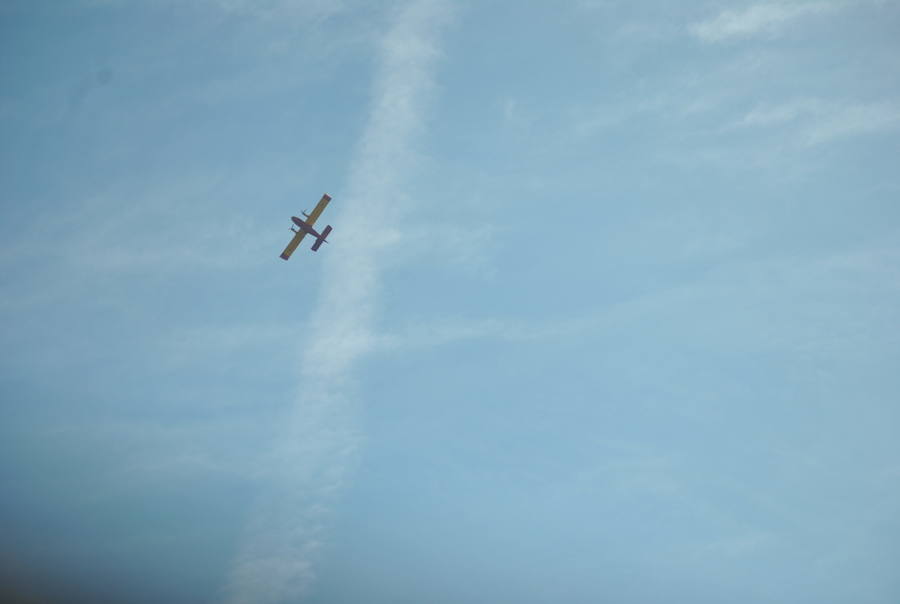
<point>765,18</point>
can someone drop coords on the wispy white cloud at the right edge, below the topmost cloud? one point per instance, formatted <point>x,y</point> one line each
<point>821,121</point>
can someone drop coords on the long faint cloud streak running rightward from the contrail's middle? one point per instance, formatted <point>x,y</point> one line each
<point>873,264</point>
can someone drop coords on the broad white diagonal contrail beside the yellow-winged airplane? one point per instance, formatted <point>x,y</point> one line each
<point>276,561</point>
